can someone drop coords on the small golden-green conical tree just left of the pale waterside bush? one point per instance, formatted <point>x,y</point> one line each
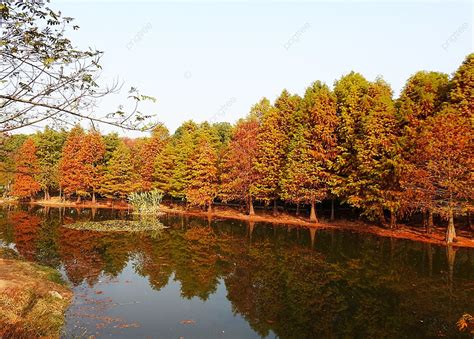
<point>119,178</point>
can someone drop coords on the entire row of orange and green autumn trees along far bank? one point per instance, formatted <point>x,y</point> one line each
<point>353,142</point>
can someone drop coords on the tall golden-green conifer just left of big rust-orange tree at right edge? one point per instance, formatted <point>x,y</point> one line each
<point>373,185</point>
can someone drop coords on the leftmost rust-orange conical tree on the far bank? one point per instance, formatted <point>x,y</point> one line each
<point>27,168</point>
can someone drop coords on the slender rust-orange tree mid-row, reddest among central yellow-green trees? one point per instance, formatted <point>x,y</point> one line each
<point>239,175</point>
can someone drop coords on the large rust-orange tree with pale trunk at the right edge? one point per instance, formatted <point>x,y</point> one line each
<point>445,148</point>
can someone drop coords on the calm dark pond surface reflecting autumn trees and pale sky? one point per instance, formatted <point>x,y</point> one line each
<point>214,278</point>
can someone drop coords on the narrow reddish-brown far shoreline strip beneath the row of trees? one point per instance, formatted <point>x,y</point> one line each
<point>436,237</point>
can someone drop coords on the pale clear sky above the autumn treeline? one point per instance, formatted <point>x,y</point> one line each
<point>214,60</point>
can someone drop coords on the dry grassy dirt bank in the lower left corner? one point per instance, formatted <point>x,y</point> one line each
<point>33,299</point>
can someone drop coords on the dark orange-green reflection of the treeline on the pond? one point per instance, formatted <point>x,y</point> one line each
<point>292,282</point>
